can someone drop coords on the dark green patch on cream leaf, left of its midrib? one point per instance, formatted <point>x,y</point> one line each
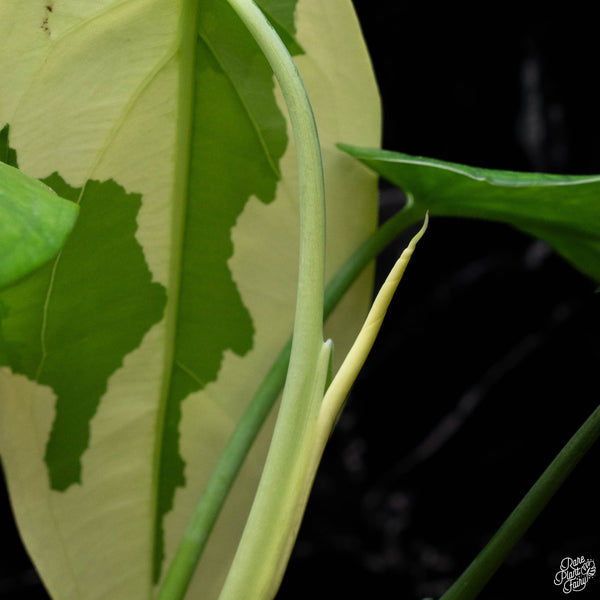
<point>70,325</point>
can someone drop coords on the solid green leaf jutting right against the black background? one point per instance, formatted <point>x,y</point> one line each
<point>563,210</point>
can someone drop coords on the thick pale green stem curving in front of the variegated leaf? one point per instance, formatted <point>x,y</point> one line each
<point>265,539</point>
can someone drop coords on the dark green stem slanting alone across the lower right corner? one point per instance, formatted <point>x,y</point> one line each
<point>478,573</point>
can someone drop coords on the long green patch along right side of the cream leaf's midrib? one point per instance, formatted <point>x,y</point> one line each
<point>238,136</point>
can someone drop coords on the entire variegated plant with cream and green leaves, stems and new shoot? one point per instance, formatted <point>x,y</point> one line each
<point>132,360</point>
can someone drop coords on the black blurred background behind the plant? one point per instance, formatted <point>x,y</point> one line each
<point>487,360</point>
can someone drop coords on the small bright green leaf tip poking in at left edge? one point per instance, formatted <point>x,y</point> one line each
<point>34,221</point>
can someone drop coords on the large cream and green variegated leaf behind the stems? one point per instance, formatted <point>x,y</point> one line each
<point>126,362</point>
